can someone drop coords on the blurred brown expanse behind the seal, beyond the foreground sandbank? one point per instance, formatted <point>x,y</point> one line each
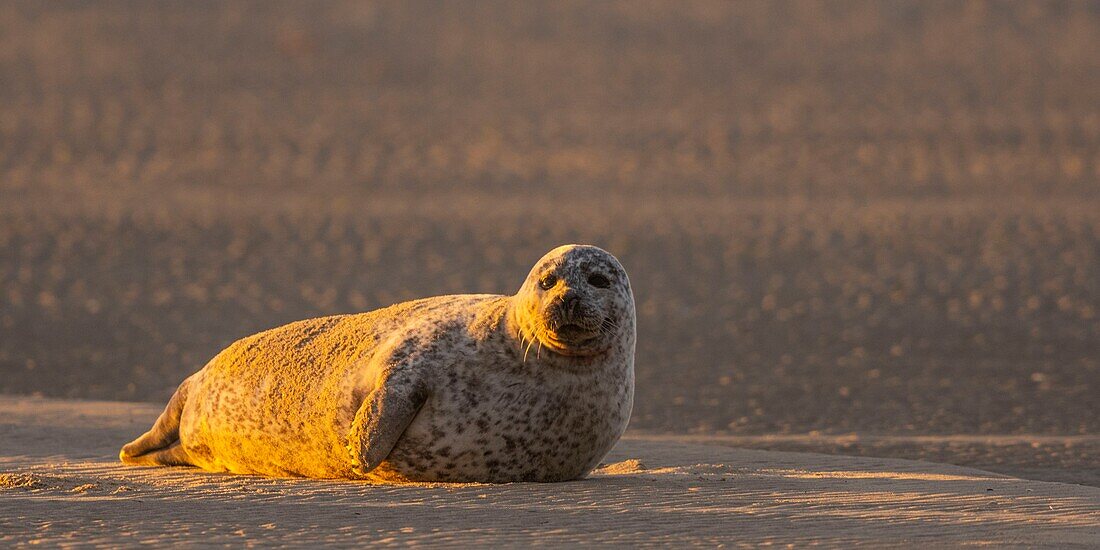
<point>838,217</point>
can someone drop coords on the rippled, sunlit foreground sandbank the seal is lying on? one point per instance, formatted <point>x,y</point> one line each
<point>61,483</point>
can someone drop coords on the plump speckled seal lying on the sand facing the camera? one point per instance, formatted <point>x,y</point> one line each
<point>536,387</point>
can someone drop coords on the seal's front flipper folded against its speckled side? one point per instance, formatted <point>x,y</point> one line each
<point>383,419</point>
